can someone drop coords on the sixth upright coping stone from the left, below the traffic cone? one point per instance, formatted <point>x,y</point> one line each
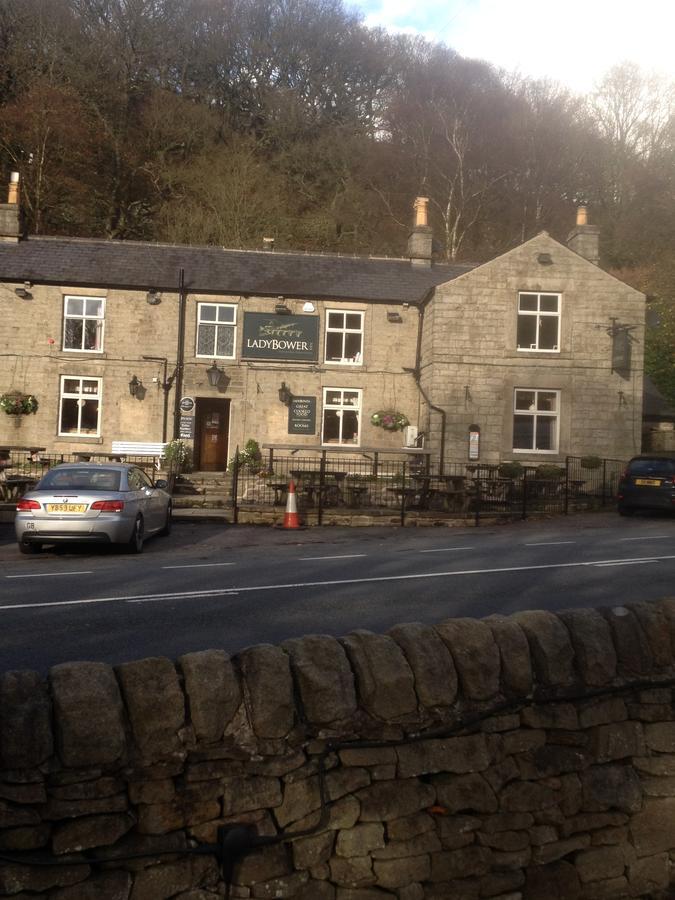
<point>324,678</point>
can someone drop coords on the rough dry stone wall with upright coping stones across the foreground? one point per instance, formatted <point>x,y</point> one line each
<point>529,756</point>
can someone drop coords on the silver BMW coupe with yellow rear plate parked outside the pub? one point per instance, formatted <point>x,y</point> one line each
<point>102,503</point>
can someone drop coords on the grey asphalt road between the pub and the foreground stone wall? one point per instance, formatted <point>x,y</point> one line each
<point>223,586</point>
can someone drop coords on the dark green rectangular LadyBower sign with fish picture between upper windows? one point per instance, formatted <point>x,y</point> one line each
<point>268,336</point>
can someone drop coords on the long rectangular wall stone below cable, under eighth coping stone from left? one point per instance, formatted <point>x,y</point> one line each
<point>455,754</point>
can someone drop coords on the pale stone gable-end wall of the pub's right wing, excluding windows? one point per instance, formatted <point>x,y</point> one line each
<point>472,365</point>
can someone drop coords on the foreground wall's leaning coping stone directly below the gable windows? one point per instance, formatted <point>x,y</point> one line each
<point>550,647</point>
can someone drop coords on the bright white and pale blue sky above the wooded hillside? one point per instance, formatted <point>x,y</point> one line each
<point>574,42</point>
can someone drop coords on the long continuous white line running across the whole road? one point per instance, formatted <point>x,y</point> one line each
<point>220,592</point>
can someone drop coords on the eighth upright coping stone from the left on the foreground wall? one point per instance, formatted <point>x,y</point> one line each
<point>430,661</point>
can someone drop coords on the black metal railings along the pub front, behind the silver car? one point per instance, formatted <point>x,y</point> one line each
<point>375,484</point>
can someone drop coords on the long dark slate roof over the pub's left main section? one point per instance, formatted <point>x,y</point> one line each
<point>127,264</point>
